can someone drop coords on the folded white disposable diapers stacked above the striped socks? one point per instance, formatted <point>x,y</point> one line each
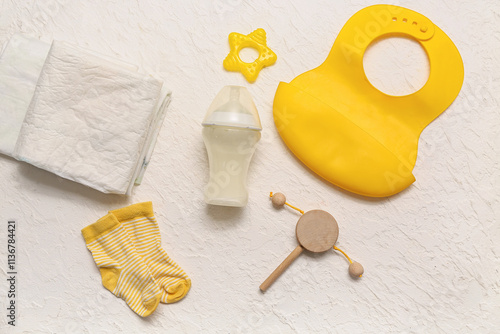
<point>78,115</point>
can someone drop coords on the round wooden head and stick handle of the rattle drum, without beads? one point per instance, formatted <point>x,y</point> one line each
<point>317,231</point>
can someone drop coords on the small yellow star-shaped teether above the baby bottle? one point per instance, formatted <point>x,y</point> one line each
<point>256,40</point>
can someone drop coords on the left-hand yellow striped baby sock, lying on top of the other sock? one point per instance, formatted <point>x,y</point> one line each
<point>123,271</point>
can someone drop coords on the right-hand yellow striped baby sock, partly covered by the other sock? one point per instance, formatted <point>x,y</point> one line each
<point>141,225</point>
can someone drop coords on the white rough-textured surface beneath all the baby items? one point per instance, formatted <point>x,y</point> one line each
<point>430,253</point>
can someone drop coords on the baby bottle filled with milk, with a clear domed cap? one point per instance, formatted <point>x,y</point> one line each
<point>231,130</point>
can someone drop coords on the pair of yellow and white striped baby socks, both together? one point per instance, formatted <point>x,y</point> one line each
<point>126,246</point>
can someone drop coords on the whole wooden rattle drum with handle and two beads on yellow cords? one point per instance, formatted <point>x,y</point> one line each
<point>316,231</point>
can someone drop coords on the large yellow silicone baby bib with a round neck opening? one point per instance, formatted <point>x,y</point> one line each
<point>349,132</point>
